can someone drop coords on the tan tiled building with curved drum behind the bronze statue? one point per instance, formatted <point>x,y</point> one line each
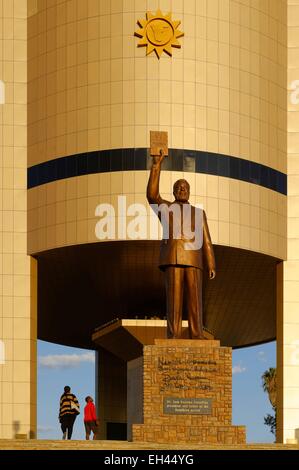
<point>93,96</point>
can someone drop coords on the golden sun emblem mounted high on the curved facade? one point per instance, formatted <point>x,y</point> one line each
<point>159,33</point>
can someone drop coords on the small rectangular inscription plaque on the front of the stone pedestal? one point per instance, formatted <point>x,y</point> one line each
<point>187,406</point>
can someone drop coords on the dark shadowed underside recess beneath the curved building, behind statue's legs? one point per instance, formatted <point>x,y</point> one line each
<point>83,287</point>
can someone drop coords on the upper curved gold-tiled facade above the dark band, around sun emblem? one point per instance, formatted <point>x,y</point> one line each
<point>91,88</point>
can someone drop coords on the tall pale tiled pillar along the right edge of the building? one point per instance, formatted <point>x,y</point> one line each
<point>288,320</point>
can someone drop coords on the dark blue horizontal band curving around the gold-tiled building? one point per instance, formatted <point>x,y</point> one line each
<point>139,159</point>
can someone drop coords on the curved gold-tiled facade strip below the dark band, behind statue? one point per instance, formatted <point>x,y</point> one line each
<point>240,214</point>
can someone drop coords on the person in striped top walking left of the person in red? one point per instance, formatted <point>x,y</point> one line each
<point>68,411</point>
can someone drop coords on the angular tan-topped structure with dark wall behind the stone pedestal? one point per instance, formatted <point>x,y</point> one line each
<point>120,371</point>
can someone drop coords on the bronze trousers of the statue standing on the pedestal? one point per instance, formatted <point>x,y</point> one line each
<point>184,281</point>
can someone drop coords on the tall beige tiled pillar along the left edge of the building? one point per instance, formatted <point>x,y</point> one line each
<point>17,269</point>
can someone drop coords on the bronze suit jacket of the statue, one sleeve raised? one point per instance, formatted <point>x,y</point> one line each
<point>173,252</point>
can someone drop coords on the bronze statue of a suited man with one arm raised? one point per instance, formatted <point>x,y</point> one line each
<point>183,266</point>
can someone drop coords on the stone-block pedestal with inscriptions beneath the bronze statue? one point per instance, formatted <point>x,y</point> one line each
<point>187,394</point>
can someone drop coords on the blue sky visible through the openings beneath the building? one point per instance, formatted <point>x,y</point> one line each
<point>60,366</point>
